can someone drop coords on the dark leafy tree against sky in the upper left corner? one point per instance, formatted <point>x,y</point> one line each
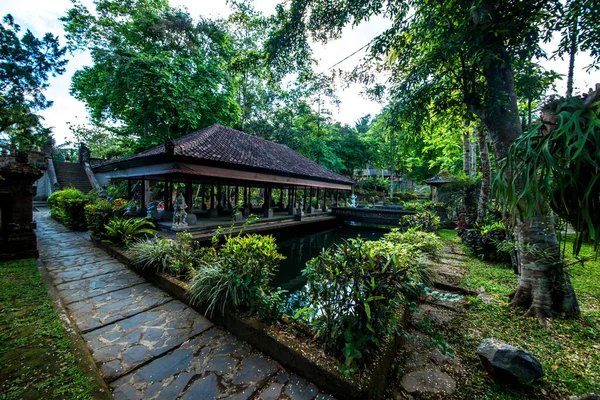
<point>25,66</point>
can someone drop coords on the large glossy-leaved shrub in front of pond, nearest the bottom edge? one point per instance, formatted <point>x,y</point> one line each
<point>355,291</point>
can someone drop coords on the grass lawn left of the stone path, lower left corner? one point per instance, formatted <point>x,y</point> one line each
<point>35,356</point>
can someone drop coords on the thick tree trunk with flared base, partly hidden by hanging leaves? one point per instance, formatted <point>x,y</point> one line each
<point>544,287</point>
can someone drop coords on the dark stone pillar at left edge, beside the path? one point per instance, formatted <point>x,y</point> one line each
<point>17,237</point>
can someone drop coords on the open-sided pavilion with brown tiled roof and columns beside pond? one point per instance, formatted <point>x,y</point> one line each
<point>218,167</point>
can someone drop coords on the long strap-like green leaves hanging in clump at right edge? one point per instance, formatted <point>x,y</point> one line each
<point>561,165</point>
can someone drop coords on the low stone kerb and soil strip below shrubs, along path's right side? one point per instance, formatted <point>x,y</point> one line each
<point>299,357</point>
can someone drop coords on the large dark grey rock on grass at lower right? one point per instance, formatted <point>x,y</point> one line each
<point>507,362</point>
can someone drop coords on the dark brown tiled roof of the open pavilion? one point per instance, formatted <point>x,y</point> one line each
<point>221,144</point>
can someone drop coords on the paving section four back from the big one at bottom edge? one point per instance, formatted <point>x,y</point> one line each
<point>74,271</point>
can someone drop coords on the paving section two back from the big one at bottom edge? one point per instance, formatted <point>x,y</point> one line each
<point>99,311</point>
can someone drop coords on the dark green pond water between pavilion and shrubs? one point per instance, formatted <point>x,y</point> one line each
<point>301,248</point>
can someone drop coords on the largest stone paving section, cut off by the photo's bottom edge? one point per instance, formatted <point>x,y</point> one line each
<point>214,365</point>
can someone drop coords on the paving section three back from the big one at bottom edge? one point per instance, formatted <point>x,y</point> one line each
<point>71,292</point>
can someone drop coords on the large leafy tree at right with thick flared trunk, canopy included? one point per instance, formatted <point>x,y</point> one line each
<point>472,48</point>
